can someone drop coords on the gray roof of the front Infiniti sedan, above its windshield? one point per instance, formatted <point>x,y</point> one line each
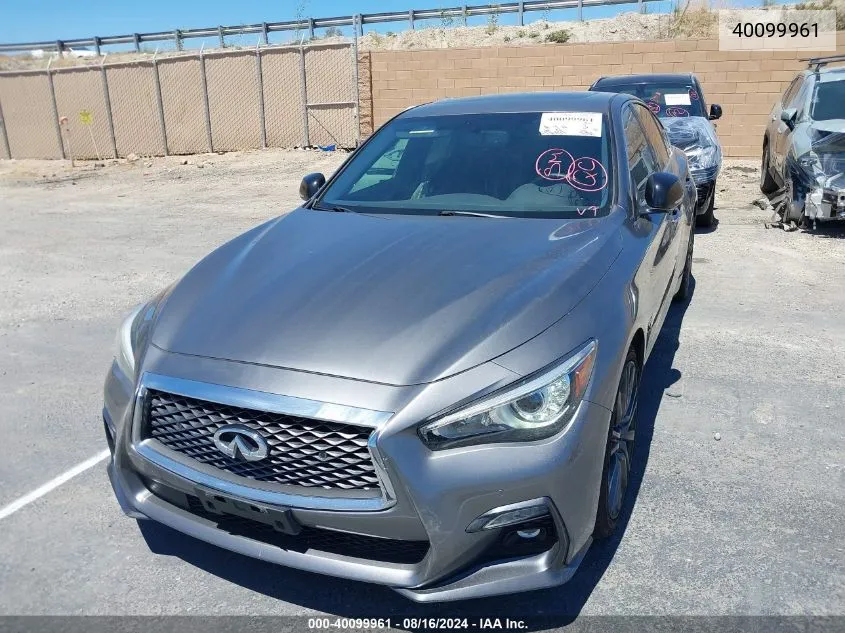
<point>517,102</point>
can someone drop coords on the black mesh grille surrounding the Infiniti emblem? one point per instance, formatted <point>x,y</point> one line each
<point>303,451</point>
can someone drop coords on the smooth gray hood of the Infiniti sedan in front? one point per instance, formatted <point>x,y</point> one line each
<point>391,299</point>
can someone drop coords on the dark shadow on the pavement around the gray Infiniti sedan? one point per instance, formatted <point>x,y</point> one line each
<point>547,608</point>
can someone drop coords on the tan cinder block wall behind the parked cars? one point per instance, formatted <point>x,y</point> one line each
<point>746,84</point>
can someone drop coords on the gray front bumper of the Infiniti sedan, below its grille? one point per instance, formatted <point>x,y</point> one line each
<point>434,497</point>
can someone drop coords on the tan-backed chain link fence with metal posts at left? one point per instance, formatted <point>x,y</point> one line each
<point>191,103</point>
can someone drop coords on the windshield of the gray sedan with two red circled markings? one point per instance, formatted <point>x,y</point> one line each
<point>530,164</point>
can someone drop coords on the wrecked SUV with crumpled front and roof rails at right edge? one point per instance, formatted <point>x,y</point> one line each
<point>804,146</point>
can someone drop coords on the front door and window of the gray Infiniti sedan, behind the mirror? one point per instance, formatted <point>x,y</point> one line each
<point>645,159</point>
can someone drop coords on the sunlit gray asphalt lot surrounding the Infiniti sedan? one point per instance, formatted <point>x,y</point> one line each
<point>747,524</point>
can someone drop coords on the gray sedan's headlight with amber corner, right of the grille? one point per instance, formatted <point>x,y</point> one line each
<point>533,409</point>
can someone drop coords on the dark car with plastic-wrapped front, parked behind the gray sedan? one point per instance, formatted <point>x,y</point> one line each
<point>678,101</point>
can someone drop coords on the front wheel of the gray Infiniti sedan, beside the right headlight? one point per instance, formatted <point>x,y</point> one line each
<point>620,448</point>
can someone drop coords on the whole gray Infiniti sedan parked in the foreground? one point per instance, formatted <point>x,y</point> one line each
<point>426,376</point>
